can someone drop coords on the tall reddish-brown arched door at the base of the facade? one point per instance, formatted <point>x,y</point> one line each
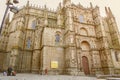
<point>85,65</point>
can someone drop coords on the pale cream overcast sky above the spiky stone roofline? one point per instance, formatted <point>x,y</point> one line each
<point>113,4</point>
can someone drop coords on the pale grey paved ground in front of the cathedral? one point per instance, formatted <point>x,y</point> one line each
<point>44,77</point>
